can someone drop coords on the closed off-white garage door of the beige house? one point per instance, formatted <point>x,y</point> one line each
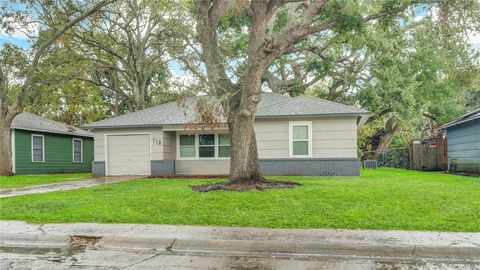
<point>128,154</point>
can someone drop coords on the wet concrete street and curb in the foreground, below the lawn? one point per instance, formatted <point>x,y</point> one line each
<point>135,246</point>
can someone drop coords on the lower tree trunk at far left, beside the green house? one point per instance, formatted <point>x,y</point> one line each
<point>5,147</point>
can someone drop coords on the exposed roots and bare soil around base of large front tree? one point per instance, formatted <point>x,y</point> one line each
<point>245,185</point>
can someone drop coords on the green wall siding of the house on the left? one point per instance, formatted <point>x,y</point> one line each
<point>58,154</point>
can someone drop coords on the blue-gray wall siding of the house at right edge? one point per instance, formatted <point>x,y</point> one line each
<point>464,146</point>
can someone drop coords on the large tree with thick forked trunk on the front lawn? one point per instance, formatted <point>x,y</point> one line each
<point>241,39</point>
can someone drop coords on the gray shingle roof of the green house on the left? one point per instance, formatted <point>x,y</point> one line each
<point>33,122</point>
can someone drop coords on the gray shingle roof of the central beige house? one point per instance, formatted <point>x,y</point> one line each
<point>271,105</point>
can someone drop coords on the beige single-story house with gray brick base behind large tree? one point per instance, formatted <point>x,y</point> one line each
<point>295,136</point>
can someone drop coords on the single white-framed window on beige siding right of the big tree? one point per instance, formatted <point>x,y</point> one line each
<point>300,139</point>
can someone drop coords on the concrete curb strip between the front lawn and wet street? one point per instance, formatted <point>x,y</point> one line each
<point>197,240</point>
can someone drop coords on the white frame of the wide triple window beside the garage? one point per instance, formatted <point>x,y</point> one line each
<point>197,145</point>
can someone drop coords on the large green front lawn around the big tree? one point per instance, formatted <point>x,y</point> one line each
<point>381,199</point>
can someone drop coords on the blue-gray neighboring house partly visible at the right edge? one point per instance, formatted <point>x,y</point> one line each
<point>463,142</point>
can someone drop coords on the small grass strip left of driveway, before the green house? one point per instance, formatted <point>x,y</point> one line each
<point>39,179</point>
